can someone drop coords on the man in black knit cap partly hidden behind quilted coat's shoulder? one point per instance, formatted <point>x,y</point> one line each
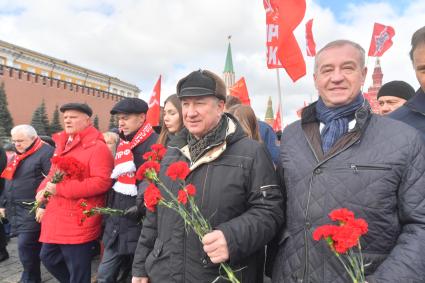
<point>393,95</point>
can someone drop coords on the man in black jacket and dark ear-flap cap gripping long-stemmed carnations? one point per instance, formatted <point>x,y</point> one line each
<point>237,192</point>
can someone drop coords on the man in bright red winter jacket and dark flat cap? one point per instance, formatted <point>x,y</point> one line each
<point>67,241</point>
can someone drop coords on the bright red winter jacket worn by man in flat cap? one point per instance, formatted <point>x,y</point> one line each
<point>60,223</point>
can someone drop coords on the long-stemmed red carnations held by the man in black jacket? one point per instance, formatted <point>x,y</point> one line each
<point>184,203</point>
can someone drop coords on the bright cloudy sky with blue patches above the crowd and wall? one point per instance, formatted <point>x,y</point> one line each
<point>137,41</point>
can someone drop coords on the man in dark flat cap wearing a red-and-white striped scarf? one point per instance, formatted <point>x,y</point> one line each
<point>122,232</point>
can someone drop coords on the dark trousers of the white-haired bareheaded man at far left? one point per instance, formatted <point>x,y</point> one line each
<point>29,254</point>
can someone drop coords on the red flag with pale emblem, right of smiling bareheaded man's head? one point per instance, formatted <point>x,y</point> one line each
<point>381,40</point>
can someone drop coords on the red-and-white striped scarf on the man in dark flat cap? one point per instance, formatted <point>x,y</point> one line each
<point>124,167</point>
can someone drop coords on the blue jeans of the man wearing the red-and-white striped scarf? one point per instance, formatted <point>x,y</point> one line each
<point>111,265</point>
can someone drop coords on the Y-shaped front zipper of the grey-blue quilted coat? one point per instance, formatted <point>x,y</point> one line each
<point>306,274</point>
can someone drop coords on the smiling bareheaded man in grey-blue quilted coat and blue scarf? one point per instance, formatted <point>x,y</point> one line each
<point>341,155</point>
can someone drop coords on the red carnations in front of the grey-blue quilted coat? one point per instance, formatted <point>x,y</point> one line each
<point>344,241</point>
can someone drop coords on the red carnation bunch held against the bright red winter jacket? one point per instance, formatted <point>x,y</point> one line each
<point>66,168</point>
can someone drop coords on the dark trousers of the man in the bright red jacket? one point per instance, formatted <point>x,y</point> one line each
<point>68,263</point>
